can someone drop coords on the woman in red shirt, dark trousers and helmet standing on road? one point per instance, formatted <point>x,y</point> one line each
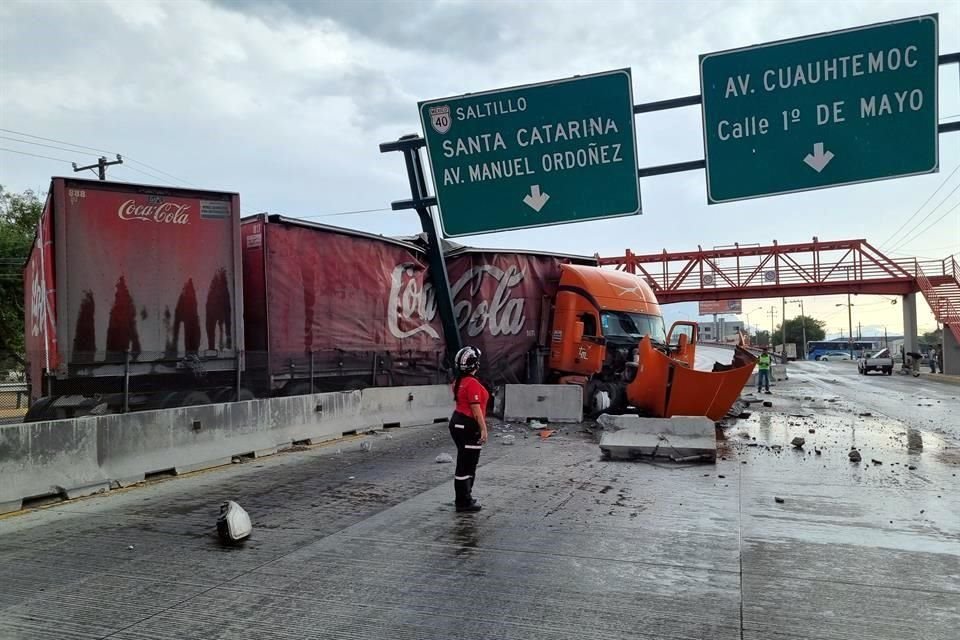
<point>468,425</point>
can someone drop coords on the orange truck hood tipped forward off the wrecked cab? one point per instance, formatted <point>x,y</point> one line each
<point>664,387</point>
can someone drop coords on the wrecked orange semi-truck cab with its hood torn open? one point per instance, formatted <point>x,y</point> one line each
<point>608,335</point>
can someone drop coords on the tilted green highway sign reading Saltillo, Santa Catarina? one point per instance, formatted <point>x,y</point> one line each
<point>535,155</point>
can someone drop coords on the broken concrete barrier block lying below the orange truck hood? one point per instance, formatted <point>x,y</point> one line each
<point>681,438</point>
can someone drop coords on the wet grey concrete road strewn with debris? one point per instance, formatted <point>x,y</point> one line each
<point>366,545</point>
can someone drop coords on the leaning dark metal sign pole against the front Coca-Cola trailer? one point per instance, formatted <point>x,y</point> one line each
<point>410,146</point>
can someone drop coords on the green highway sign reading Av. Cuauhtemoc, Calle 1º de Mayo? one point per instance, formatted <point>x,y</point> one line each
<point>821,111</point>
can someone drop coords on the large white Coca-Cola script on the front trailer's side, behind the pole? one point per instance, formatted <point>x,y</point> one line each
<point>414,304</point>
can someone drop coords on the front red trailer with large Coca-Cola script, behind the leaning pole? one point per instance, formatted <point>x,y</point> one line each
<point>346,309</point>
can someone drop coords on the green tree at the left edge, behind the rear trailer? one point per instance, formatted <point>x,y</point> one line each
<point>19,213</point>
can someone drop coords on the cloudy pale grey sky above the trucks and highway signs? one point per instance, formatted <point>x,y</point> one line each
<point>287,101</point>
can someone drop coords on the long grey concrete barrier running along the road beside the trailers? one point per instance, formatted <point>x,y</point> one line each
<point>82,456</point>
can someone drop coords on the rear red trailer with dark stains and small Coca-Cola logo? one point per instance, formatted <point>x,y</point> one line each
<point>133,288</point>
